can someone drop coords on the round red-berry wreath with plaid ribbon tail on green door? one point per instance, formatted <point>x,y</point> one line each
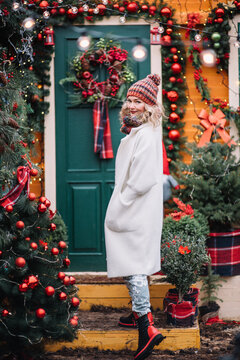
<point>85,87</point>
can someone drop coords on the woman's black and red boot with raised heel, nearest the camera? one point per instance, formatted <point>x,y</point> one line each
<point>149,336</point>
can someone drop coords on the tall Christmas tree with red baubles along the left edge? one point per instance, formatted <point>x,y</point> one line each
<point>37,299</point>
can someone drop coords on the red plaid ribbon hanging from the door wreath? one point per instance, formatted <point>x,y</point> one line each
<point>102,132</point>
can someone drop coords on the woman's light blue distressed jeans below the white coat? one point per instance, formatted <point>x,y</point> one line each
<point>138,290</point>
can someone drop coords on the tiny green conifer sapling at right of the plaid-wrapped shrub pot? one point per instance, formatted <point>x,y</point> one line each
<point>210,286</point>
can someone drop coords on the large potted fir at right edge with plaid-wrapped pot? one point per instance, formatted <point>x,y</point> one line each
<point>211,183</point>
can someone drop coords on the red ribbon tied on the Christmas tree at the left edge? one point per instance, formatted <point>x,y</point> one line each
<point>23,176</point>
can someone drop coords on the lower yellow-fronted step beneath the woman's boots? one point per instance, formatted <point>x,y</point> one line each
<point>100,330</point>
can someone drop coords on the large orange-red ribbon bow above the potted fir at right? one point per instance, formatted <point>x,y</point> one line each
<point>212,122</point>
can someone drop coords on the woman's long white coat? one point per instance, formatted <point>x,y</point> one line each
<point>133,222</point>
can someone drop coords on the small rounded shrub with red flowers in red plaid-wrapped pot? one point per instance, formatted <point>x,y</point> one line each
<point>183,254</point>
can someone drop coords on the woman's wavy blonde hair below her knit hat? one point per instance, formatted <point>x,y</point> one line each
<point>151,114</point>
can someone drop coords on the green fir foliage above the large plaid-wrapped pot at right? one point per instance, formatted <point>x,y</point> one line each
<point>211,183</point>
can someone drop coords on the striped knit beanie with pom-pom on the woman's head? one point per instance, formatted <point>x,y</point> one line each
<point>146,89</point>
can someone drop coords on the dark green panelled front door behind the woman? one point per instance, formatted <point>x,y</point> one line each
<point>84,182</point>
